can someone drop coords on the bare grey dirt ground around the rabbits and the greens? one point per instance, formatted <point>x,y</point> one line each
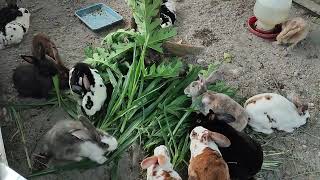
<point>257,66</point>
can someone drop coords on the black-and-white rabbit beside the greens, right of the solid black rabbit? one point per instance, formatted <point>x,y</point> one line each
<point>86,82</point>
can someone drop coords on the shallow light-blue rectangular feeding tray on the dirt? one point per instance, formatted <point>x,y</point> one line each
<point>98,16</point>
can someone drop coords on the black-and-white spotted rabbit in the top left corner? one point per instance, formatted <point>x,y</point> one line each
<point>14,28</point>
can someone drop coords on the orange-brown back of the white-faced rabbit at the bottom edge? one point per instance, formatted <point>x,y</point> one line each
<point>208,166</point>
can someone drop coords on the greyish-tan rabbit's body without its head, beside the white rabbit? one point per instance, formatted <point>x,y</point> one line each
<point>221,103</point>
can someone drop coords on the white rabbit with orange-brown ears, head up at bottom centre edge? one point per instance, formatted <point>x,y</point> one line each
<point>158,166</point>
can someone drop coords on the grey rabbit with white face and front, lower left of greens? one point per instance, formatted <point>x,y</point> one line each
<point>75,140</point>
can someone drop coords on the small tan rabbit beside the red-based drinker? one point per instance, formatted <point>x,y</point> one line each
<point>293,31</point>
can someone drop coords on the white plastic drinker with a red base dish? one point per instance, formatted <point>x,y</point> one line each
<point>269,14</point>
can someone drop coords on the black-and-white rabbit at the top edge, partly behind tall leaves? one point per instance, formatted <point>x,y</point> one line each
<point>167,13</point>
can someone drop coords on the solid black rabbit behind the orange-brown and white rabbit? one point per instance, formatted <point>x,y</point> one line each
<point>244,156</point>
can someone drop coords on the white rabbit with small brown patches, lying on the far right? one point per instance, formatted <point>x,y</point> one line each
<point>270,110</point>
